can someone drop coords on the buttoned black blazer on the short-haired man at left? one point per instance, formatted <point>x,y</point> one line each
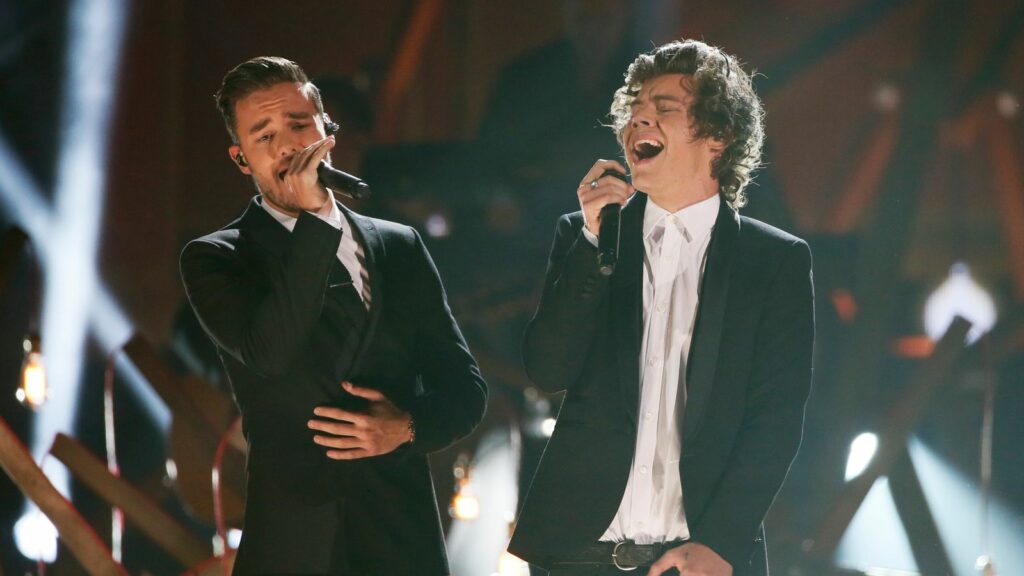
<point>264,297</point>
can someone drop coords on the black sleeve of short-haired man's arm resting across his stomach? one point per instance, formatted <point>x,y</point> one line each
<point>455,395</point>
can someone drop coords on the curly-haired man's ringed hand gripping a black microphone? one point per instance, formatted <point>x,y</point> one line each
<point>603,193</point>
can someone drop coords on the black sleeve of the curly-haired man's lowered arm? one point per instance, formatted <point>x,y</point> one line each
<point>774,419</point>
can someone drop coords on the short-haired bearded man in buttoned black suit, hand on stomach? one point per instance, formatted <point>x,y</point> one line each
<point>343,353</point>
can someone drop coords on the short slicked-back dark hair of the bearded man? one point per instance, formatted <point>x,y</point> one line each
<point>260,74</point>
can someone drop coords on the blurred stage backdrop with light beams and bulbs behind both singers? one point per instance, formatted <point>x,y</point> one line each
<point>894,147</point>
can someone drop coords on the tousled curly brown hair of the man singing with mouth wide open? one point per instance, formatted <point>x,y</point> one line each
<point>724,107</point>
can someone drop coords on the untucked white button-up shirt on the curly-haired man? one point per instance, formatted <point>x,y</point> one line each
<point>675,248</point>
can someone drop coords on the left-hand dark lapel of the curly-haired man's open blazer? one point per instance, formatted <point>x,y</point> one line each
<point>627,303</point>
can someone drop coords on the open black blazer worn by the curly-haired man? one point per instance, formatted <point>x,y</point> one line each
<point>748,381</point>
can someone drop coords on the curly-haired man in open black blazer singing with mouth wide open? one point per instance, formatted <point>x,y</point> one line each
<point>687,372</point>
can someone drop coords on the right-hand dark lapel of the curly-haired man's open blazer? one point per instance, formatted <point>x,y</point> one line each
<point>713,298</point>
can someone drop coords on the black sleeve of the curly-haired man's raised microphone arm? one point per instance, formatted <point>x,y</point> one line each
<point>561,337</point>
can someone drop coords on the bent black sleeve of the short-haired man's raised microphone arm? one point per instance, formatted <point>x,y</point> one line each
<point>263,328</point>
